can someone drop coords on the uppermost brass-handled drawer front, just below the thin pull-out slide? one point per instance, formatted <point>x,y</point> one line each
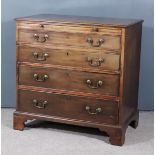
<point>78,40</point>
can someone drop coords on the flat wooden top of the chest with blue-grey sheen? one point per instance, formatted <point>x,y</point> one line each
<point>83,20</point>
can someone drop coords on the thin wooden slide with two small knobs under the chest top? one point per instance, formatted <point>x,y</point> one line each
<point>74,28</point>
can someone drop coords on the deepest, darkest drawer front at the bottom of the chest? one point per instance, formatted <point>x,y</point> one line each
<point>71,107</point>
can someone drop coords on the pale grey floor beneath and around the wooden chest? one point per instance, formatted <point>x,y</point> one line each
<point>45,138</point>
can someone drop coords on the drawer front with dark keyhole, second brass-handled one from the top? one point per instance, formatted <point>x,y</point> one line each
<point>101,60</point>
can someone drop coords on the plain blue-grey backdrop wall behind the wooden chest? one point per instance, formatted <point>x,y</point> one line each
<point>137,9</point>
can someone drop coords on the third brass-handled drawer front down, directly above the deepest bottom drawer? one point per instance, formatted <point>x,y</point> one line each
<point>69,80</point>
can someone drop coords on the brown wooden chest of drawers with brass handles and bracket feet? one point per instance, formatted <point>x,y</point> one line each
<point>78,70</point>
